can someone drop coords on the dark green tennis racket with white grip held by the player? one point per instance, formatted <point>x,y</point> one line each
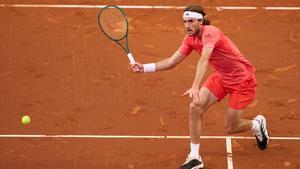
<point>114,25</point>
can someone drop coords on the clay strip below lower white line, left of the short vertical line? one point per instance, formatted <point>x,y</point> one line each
<point>91,153</point>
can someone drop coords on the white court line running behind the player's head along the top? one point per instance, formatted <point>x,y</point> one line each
<point>219,8</point>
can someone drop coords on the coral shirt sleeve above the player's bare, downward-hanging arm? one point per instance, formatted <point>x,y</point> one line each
<point>210,37</point>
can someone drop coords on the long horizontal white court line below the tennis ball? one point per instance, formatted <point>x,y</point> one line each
<point>133,137</point>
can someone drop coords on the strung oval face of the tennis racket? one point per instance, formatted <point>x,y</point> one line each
<point>113,23</point>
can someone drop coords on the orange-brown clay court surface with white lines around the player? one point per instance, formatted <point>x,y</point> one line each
<point>89,111</point>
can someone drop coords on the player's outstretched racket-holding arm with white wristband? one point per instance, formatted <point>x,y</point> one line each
<point>164,64</point>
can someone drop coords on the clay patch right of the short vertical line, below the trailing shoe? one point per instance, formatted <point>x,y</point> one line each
<point>280,154</point>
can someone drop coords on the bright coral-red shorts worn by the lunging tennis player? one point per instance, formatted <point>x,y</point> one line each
<point>240,95</point>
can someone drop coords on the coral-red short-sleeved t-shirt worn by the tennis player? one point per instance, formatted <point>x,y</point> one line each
<point>226,59</point>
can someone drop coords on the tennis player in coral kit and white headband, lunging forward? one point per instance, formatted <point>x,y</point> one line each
<point>232,74</point>
